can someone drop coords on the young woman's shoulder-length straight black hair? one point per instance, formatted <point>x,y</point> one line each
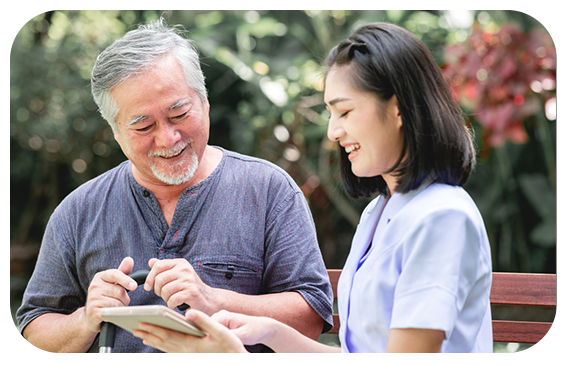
<point>388,60</point>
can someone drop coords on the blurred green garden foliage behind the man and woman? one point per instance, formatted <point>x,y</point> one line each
<point>264,78</point>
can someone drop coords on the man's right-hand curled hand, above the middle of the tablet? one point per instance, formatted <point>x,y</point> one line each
<point>176,282</point>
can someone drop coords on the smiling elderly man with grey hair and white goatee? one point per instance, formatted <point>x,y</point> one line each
<point>219,230</point>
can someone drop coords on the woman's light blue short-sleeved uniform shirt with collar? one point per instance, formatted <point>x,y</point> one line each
<point>429,267</point>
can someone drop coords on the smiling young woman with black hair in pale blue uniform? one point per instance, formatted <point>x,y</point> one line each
<point>418,275</point>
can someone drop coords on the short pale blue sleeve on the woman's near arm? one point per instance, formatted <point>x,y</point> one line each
<point>439,264</point>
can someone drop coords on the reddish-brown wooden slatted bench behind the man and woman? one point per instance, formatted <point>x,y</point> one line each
<point>508,289</point>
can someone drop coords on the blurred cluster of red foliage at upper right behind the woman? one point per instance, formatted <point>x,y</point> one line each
<point>501,76</point>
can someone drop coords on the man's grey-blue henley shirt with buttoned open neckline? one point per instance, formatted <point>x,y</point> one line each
<point>247,228</point>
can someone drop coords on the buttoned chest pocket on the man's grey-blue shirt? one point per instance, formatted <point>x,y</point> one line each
<point>240,275</point>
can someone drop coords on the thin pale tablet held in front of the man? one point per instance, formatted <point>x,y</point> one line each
<point>130,318</point>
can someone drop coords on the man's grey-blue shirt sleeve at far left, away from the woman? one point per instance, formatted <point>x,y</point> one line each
<point>53,288</point>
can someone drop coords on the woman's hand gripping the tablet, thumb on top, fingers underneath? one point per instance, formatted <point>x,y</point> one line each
<point>218,337</point>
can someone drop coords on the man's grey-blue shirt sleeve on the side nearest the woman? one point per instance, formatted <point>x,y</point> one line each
<point>293,257</point>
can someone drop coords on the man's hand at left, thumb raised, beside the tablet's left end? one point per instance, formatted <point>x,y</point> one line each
<point>107,289</point>
